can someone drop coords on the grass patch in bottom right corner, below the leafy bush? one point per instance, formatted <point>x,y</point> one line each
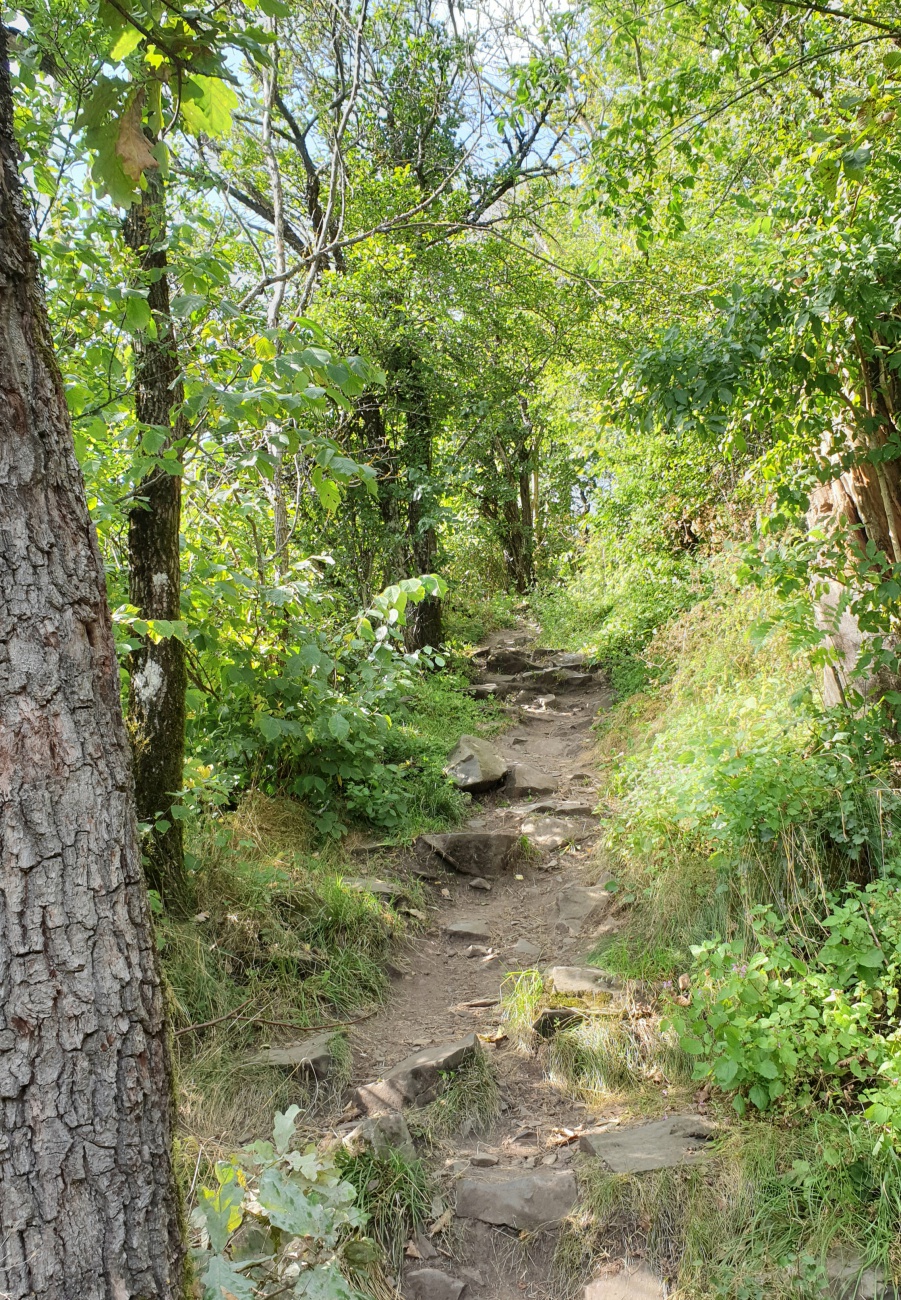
<point>755,1221</point>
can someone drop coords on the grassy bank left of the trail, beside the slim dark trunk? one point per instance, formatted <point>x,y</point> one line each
<point>280,946</point>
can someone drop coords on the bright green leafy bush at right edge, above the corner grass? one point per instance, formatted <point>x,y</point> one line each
<point>799,1019</point>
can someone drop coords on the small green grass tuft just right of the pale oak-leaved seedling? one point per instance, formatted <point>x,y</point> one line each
<point>393,1191</point>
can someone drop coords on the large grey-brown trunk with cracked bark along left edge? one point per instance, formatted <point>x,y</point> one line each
<point>89,1208</point>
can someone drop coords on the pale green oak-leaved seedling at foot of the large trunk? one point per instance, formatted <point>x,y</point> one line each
<point>278,1219</point>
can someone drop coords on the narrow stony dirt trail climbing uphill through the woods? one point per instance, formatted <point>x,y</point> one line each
<point>542,913</point>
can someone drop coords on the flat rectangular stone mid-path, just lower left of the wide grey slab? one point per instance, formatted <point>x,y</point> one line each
<point>523,1202</point>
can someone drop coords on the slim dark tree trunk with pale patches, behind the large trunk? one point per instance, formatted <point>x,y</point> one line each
<point>159,678</point>
